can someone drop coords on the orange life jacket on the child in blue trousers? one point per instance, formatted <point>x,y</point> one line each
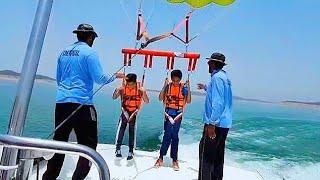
<point>174,98</point>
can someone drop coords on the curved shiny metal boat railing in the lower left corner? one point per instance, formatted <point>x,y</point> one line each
<point>51,146</point>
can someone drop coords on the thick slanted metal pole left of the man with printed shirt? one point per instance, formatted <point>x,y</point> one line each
<point>26,81</point>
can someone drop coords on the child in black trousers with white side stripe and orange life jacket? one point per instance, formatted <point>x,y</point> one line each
<point>132,95</point>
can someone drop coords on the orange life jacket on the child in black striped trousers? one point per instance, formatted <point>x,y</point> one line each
<point>131,98</point>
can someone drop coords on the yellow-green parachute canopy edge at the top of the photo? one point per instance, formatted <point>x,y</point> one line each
<point>202,3</point>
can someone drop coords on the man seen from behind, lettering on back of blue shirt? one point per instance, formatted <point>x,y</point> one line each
<point>78,69</point>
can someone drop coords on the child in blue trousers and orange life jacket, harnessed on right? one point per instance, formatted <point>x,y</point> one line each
<point>175,95</point>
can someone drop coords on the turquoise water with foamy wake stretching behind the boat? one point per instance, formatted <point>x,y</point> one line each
<point>276,140</point>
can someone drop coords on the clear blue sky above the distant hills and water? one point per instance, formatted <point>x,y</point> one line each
<point>272,47</point>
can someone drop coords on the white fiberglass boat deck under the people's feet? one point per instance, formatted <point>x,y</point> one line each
<point>141,167</point>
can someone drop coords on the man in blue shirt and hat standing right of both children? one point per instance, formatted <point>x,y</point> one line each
<point>217,119</point>
